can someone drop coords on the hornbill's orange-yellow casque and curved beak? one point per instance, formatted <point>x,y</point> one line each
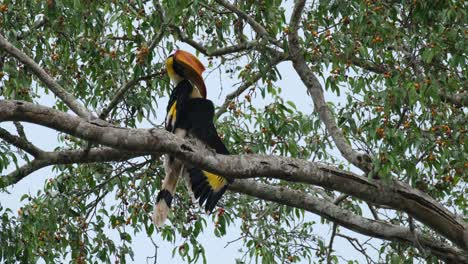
<point>184,65</point>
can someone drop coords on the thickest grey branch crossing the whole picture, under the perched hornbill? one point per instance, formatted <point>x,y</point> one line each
<point>399,196</point>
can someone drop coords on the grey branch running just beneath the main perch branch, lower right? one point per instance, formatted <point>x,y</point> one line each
<point>346,218</point>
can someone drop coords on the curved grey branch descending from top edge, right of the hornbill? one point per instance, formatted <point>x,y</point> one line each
<point>315,89</point>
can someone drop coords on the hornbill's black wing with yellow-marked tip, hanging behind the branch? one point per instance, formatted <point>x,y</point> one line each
<point>207,187</point>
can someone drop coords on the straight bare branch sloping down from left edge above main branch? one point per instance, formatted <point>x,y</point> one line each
<point>56,88</point>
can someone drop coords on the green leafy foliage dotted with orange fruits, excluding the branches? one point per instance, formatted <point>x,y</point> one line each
<point>398,66</point>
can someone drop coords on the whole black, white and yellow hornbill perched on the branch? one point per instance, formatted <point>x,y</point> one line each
<point>189,113</point>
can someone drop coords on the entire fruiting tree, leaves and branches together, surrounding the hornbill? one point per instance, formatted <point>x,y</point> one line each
<point>388,160</point>
